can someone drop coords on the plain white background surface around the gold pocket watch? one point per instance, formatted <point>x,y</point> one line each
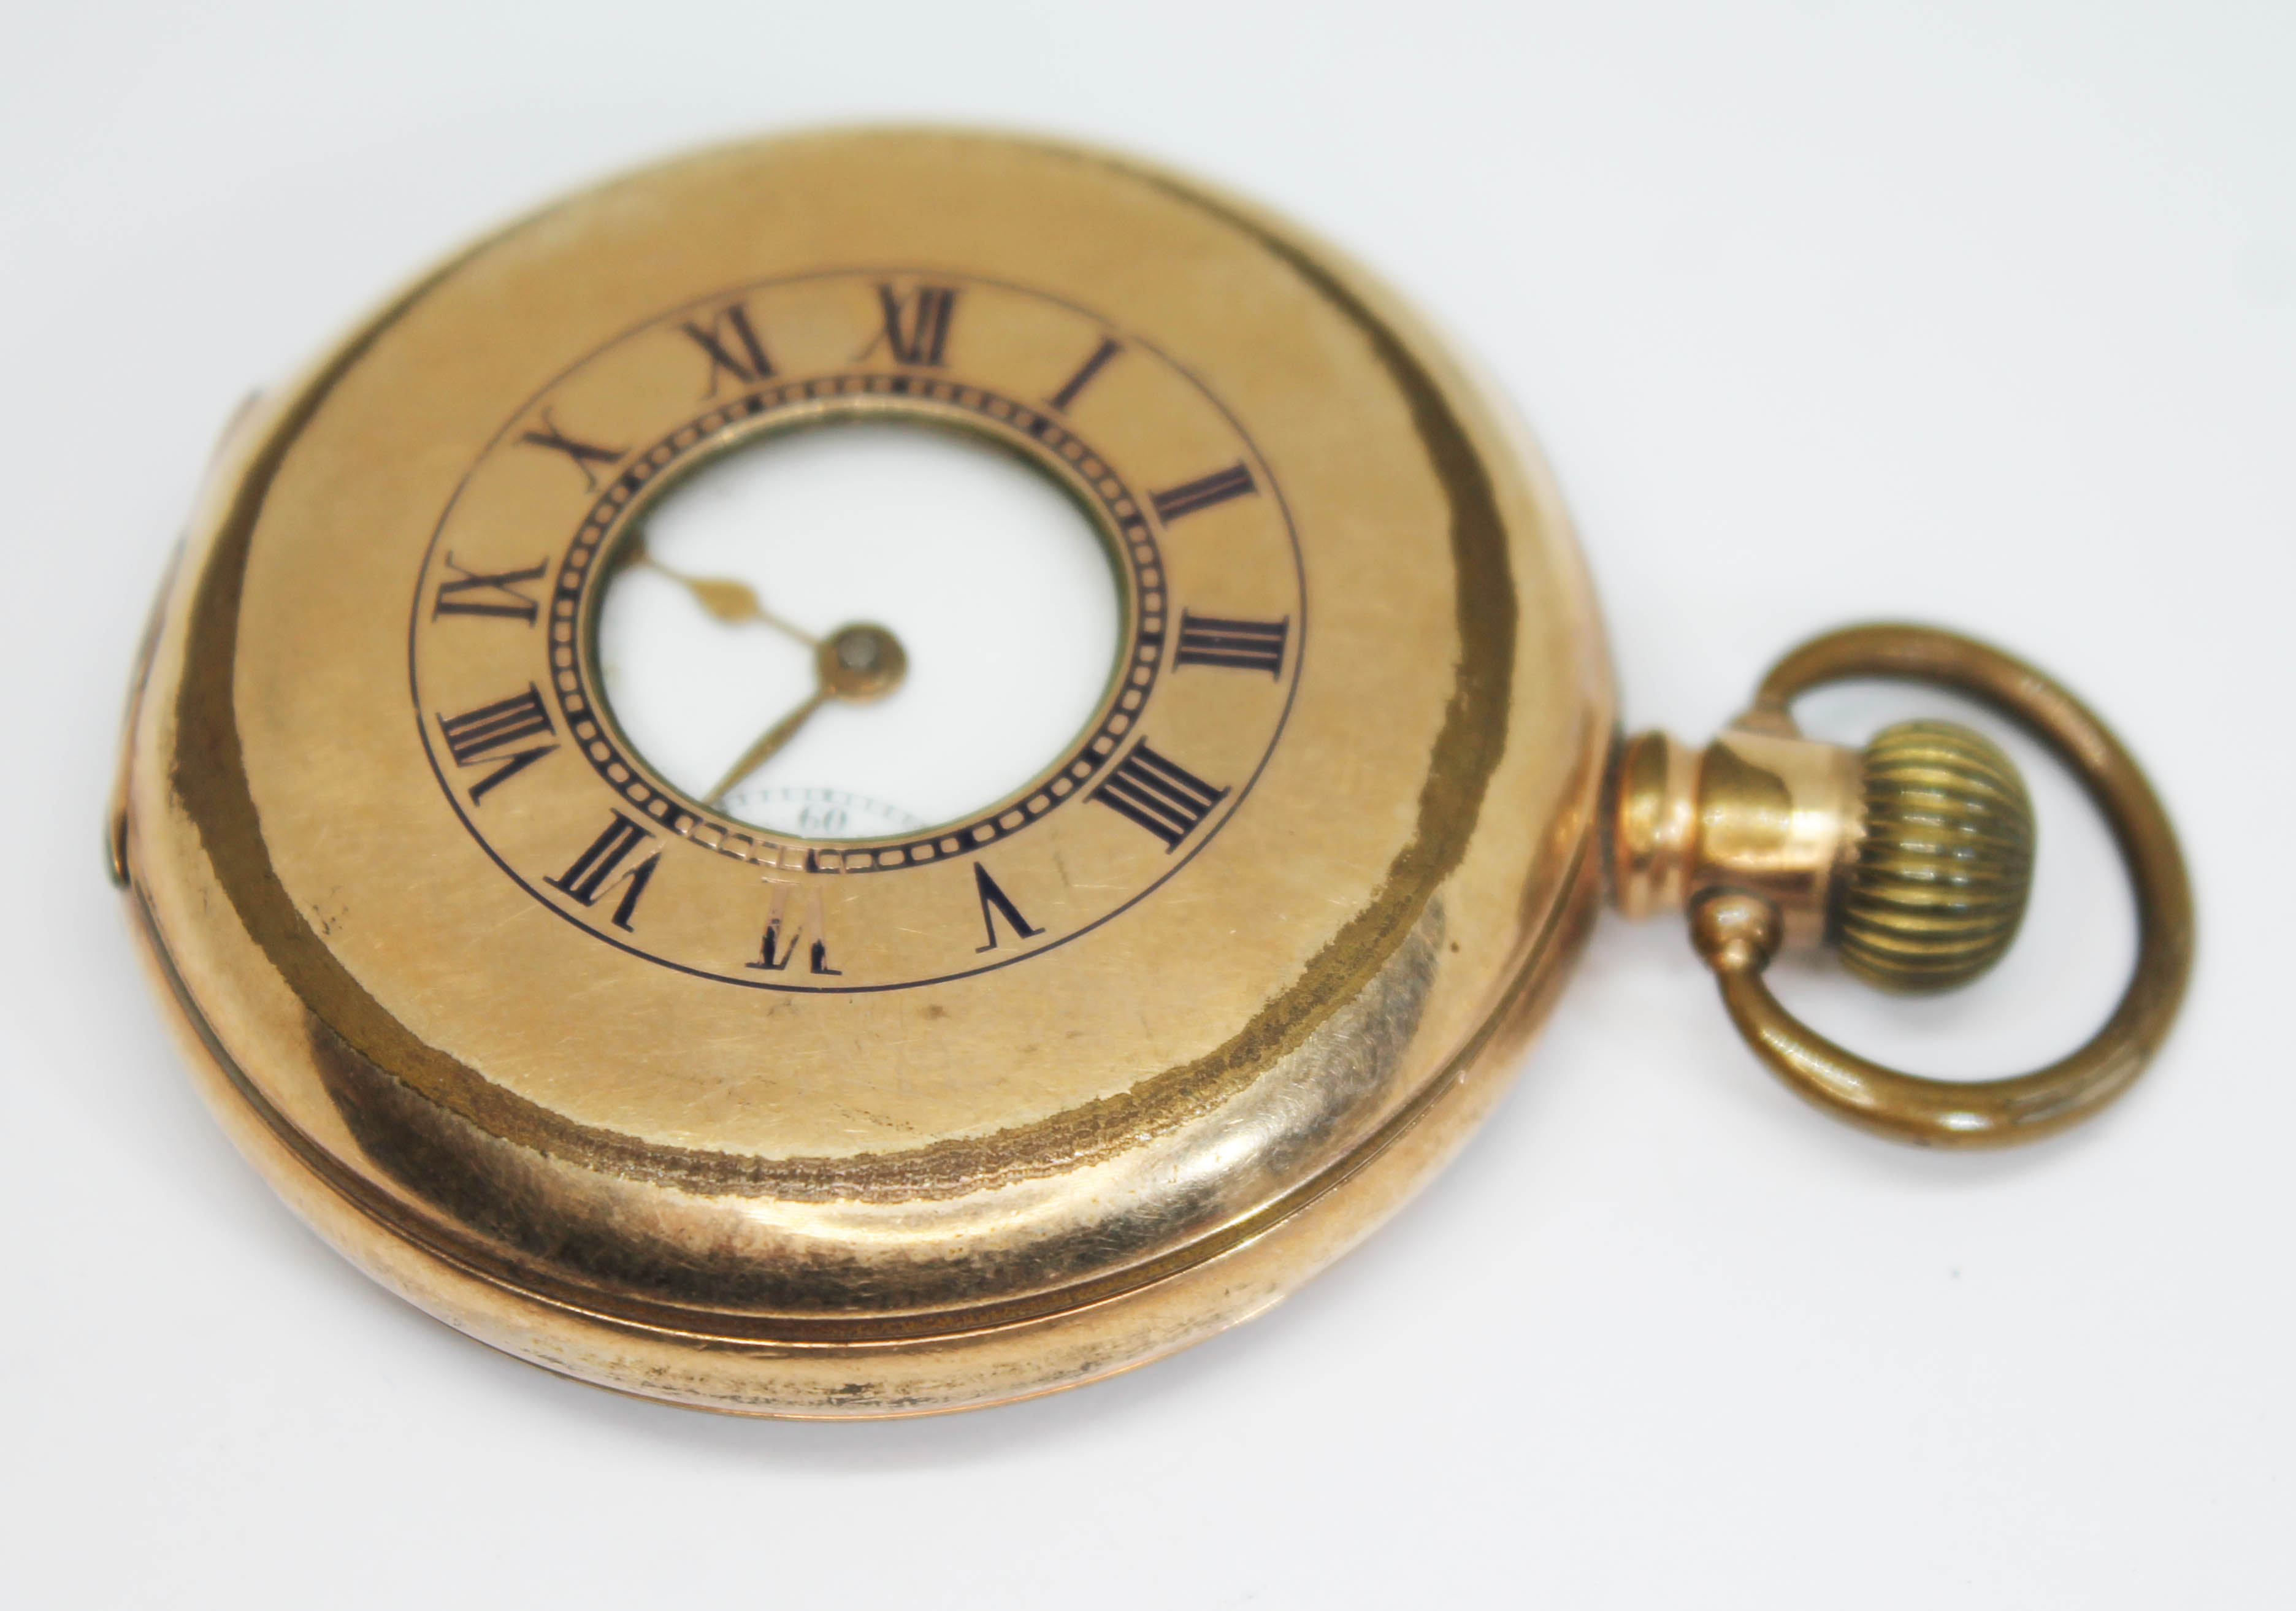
<point>1980,313</point>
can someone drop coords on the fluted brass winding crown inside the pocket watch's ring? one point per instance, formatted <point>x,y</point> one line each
<point>1946,862</point>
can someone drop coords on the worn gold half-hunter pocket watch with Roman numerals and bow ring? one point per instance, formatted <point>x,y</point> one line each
<point>949,995</point>
